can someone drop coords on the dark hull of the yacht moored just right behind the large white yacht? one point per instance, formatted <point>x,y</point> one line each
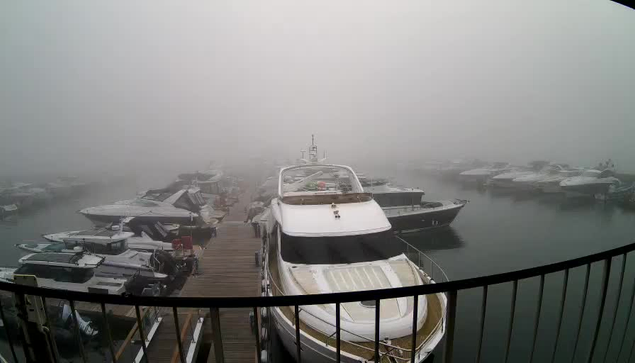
<point>405,220</point>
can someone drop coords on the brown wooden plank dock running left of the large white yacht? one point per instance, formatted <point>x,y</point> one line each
<point>226,268</point>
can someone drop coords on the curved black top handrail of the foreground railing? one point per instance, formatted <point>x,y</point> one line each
<point>332,298</point>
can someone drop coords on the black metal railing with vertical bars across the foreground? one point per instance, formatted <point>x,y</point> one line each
<point>450,288</point>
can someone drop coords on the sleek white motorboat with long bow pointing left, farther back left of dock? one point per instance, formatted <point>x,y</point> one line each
<point>139,208</point>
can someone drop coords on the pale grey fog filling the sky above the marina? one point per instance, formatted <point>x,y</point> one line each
<point>90,86</point>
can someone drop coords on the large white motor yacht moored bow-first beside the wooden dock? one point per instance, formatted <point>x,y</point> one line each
<point>327,236</point>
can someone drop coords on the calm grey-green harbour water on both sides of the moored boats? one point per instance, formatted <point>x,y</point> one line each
<point>495,232</point>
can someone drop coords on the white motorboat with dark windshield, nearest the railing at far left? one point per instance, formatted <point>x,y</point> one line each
<point>66,271</point>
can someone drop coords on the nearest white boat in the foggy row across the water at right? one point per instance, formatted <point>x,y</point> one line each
<point>590,183</point>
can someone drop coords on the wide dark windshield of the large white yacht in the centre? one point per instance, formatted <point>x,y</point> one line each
<point>337,250</point>
